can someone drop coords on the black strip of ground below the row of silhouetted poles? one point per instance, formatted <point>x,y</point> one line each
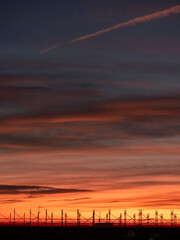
<point>54,233</point>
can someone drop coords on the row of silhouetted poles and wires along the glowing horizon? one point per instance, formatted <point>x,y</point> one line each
<point>110,220</point>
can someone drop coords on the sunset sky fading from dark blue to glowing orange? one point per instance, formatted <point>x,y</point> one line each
<point>89,119</point>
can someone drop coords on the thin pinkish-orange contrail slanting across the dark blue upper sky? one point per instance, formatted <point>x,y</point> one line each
<point>149,17</point>
